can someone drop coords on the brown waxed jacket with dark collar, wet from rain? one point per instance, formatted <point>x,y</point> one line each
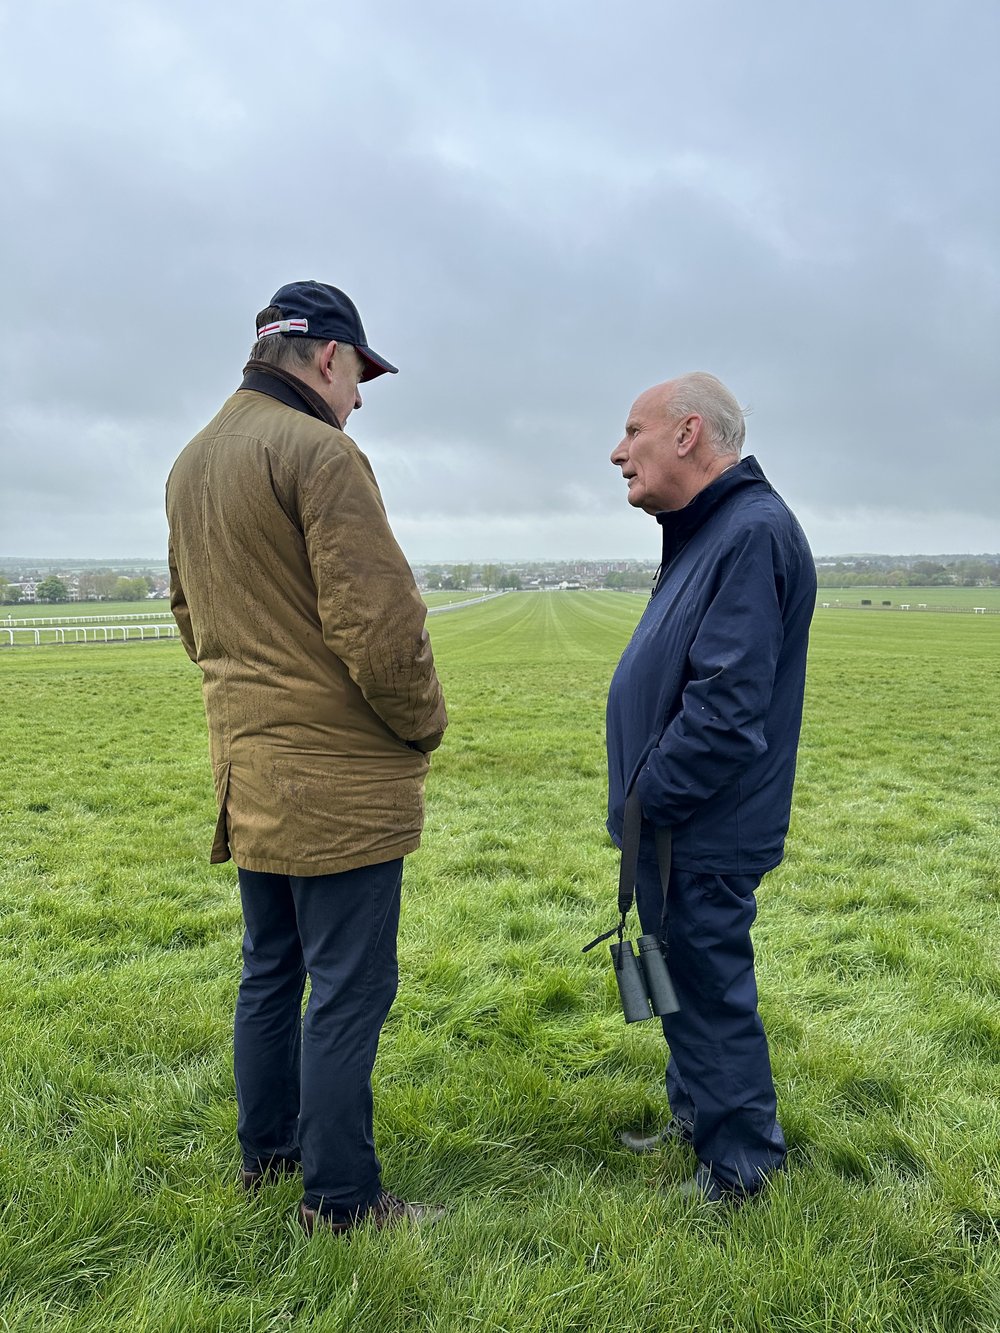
<point>295,601</point>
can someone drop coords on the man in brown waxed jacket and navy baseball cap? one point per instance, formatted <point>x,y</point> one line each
<point>295,601</point>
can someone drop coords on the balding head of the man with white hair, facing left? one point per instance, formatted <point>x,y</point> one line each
<point>679,438</point>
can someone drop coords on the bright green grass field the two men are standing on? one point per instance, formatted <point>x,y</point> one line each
<point>506,1070</point>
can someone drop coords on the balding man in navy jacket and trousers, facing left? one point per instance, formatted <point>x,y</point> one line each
<point>703,720</point>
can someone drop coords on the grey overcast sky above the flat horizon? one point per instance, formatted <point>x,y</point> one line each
<point>541,209</point>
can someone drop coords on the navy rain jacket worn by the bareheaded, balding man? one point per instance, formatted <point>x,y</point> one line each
<point>706,704</point>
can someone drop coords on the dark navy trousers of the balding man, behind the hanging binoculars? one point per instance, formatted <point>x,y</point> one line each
<point>719,1070</point>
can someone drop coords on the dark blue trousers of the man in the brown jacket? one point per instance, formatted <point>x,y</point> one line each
<point>305,1087</point>
